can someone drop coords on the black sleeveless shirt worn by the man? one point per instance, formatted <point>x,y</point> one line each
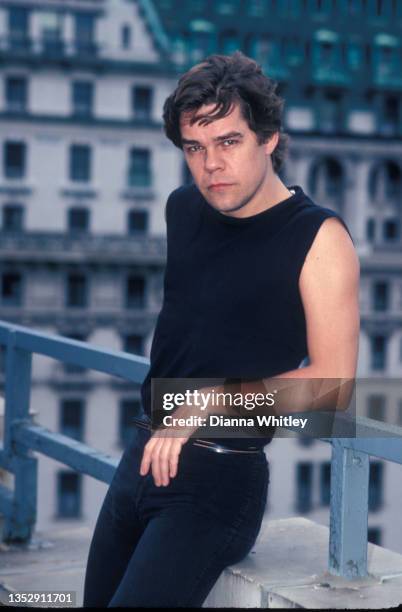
<point>232,306</point>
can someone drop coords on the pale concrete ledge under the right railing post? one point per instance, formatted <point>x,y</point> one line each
<point>288,569</point>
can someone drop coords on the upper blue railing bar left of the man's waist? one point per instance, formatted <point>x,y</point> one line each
<point>102,359</point>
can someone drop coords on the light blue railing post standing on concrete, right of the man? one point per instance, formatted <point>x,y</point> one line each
<point>348,512</point>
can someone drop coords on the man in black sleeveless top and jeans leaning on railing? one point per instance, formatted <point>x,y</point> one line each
<point>257,277</point>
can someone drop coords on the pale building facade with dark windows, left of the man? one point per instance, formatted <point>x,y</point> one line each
<point>85,173</point>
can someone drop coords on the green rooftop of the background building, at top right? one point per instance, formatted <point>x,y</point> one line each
<point>343,53</point>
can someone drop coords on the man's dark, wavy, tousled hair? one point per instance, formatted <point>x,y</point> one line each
<point>225,80</point>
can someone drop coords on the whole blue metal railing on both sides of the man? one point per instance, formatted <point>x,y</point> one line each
<point>349,462</point>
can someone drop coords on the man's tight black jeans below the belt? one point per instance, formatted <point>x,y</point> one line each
<point>167,546</point>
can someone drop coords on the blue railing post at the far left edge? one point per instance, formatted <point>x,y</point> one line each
<point>20,522</point>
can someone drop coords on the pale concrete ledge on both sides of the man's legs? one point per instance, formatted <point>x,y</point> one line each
<point>287,568</point>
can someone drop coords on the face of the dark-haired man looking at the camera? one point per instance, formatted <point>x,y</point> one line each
<point>228,165</point>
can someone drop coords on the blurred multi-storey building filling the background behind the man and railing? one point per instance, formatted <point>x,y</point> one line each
<point>85,174</point>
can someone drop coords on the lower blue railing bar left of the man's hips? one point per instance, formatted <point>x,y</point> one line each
<point>75,454</point>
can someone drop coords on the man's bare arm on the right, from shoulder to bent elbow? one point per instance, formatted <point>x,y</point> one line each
<point>329,288</point>
